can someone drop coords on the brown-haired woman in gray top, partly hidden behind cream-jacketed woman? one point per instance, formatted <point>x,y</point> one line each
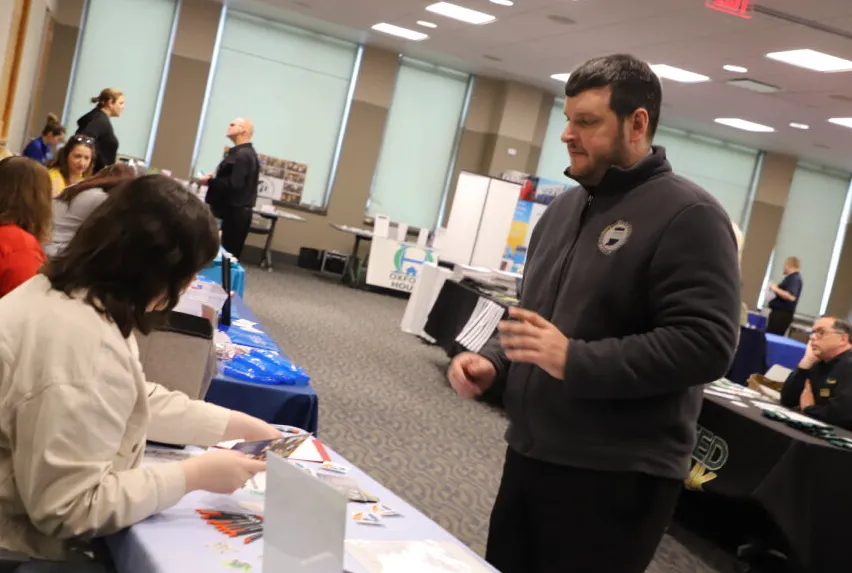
<point>75,203</point>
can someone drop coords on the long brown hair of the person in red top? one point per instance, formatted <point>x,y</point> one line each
<point>25,196</point>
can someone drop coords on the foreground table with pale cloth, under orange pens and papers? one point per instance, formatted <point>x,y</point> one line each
<point>176,540</point>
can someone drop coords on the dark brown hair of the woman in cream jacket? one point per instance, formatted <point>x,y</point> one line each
<point>143,244</point>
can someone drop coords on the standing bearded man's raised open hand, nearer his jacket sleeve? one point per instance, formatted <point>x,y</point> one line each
<point>533,340</point>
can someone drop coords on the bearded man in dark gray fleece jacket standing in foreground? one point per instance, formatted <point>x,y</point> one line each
<point>630,302</point>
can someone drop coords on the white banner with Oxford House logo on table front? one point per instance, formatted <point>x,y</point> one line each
<point>395,264</point>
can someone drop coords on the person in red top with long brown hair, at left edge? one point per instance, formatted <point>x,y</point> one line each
<point>25,218</point>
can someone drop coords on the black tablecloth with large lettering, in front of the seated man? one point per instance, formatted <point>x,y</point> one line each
<point>801,482</point>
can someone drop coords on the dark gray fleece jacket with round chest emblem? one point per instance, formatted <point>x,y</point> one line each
<point>641,275</point>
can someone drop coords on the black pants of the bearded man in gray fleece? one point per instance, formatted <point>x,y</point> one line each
<point>556,519</point>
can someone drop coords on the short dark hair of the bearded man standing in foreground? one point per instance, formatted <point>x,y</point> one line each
<point>634,85</point>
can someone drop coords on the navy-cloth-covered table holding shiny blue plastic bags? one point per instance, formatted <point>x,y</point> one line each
<point>278,404</point>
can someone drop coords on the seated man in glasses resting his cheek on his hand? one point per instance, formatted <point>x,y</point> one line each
<point>822,384</point>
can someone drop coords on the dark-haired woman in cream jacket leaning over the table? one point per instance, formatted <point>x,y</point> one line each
<point>77,408</point>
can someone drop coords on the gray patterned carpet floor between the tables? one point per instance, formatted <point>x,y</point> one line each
<point>385,405</point>
